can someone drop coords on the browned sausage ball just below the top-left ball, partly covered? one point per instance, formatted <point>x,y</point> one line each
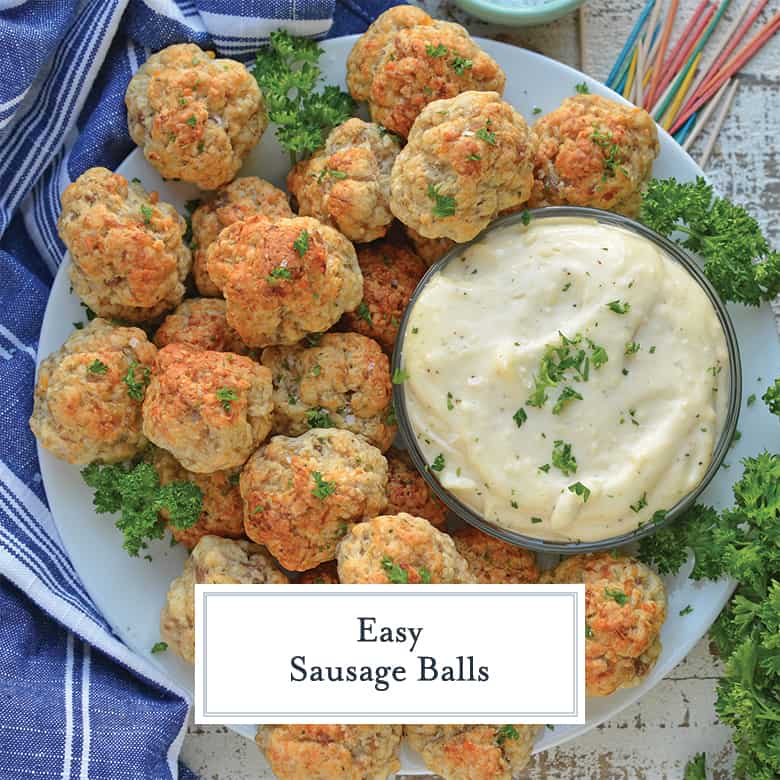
<point>245,197</point>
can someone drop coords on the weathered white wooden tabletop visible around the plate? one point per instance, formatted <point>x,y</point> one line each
<point>654,738</point>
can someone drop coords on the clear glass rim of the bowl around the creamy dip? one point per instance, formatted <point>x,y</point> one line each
<point>676,253</point>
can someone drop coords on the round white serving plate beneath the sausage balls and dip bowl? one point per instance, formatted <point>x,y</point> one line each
<point>131,591</point>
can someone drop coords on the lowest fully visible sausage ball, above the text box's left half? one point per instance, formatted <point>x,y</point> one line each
<point>301,495</point>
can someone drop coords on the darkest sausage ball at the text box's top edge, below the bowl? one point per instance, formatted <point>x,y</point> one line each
<point>493,561</point>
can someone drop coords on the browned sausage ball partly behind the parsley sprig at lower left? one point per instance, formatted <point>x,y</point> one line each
<point>223,510</point>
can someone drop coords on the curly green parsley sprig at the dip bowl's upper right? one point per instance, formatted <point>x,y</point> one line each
<point>738,259</point>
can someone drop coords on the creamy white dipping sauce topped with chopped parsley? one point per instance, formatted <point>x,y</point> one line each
<point>566,380</point>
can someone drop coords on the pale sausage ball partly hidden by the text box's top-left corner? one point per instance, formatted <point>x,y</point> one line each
<point>213,561</point>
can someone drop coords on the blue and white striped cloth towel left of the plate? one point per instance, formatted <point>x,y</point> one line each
<point>74,701</point>
